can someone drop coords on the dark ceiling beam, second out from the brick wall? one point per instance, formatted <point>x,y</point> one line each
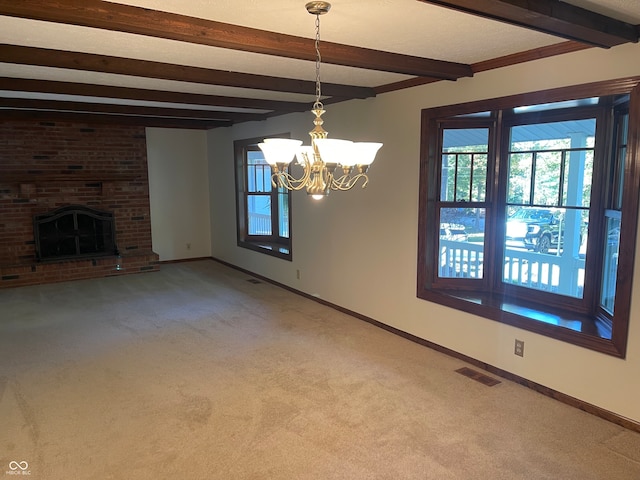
<point>131,110</point>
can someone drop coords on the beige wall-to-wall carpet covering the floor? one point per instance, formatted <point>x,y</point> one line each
<point>196,373</point>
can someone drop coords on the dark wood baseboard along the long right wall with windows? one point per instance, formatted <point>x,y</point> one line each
<point>549,392</point>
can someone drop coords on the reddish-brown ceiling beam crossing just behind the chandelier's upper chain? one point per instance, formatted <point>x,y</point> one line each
<point>125,18</point>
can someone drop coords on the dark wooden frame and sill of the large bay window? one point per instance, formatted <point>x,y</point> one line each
<point>507,306</point>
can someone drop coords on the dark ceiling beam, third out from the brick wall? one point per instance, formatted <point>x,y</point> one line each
<point>108,91</point>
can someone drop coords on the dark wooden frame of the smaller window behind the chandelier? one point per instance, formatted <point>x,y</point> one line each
<point>274,244</point>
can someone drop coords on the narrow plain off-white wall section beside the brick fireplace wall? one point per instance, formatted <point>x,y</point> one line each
<point>179,193</point>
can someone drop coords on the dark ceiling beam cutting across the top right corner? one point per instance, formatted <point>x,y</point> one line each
<point>550,16</point>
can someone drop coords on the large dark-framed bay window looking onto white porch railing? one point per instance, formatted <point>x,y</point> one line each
<point>534,198</point>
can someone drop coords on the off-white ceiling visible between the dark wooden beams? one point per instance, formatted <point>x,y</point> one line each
<point>407,27</point>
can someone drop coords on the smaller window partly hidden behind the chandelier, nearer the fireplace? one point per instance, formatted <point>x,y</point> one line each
<point>263,211</point>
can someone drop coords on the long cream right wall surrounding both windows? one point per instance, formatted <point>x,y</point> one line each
<point>358,249</point>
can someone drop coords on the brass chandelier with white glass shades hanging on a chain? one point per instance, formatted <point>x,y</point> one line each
<point>328,163</point>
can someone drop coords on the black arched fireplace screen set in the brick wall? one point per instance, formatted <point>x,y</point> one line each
<point>74,231</point>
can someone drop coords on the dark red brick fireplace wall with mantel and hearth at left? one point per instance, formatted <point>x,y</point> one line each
<point>46,165</point>
